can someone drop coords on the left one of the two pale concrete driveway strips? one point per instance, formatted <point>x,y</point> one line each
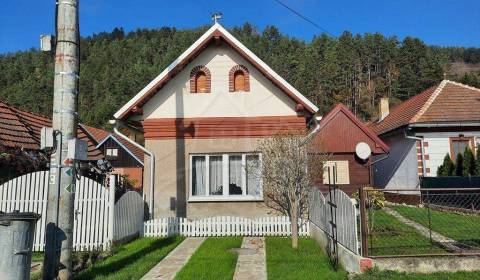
<point>173,262</point>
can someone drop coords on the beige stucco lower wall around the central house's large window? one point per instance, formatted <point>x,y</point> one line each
<point>172,178</point>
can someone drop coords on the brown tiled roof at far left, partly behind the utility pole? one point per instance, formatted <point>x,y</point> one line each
<point>21,129</point>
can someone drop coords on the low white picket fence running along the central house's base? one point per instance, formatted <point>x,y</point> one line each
<point>223,226</point>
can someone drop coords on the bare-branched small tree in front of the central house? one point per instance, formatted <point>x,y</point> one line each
<point>289,169</point>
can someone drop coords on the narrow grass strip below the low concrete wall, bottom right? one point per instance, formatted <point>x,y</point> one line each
<point>391,275</point>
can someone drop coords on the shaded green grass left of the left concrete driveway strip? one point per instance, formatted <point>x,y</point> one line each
<point>132,260</point>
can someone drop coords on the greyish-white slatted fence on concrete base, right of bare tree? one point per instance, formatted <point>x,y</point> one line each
<point>346,215</point>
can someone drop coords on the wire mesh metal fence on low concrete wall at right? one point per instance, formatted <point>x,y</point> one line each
<point>420,222</point>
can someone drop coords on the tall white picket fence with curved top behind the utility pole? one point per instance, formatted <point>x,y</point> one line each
<point>94,207</point>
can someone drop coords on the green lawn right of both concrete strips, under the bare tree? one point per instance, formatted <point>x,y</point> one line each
<point>307,262</point>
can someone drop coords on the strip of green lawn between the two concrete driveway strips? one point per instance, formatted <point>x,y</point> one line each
<point>212,260</point>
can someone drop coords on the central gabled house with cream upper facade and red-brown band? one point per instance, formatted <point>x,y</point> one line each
<point>203,118</point>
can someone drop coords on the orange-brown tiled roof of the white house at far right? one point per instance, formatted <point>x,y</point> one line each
<point>448,103</point>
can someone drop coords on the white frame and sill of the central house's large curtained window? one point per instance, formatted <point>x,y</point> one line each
<point>225,180</point>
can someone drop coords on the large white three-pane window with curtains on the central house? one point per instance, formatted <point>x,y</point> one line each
<point>225,177</point>
